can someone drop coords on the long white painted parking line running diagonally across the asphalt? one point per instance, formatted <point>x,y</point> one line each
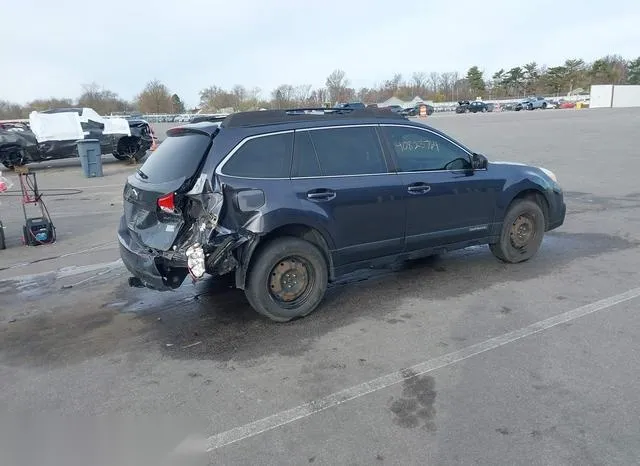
<point>286,417</point>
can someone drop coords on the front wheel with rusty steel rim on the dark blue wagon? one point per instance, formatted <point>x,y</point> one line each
<point>511,248</point>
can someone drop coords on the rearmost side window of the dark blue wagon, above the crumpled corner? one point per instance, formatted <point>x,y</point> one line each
<point>262,157</point>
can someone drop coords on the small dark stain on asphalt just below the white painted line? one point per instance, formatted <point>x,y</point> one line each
<point>416,406</point>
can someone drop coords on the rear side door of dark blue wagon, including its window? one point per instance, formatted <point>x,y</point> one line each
<point>341,174</point>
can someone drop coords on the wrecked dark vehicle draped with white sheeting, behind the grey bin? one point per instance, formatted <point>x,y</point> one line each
<point>28,141</point>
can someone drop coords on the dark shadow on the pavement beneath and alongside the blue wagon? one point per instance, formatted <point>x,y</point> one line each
<point>219,324</point>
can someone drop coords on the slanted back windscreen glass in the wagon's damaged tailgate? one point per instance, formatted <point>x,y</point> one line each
<point>177,157</point>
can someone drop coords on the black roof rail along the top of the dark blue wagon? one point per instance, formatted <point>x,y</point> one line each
<point>293,115</point>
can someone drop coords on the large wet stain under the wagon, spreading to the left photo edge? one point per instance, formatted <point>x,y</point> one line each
<point>101,317</point>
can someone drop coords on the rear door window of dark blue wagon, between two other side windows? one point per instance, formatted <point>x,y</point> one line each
<point>348,151</point>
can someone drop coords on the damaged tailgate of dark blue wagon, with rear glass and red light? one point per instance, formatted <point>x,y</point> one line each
<point>154,197</point>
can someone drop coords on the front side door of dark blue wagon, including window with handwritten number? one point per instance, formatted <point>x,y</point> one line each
<point>446,200</point>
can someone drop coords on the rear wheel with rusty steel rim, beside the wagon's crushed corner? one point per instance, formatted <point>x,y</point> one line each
<point>268,267</point>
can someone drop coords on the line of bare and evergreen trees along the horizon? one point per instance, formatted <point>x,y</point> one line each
<point>572,76</point>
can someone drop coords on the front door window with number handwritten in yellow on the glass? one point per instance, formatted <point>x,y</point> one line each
<point>420,150</point>
